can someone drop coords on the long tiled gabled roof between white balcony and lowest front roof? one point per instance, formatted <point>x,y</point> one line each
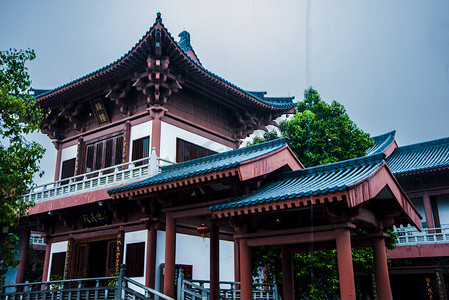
<point>221,164</point>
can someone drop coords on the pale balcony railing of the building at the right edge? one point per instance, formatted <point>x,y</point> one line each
<point>411,236</point>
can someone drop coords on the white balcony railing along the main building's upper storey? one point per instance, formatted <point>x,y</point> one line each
<point>108,177</point>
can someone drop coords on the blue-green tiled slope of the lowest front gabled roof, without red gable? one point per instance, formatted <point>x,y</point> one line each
<point>312,181</point>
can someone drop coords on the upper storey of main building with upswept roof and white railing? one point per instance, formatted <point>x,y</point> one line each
<point>156,96</point>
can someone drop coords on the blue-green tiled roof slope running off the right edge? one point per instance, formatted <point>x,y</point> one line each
<point>420,157</point>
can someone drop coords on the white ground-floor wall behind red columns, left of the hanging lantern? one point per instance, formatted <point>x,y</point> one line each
<point>192,250</point>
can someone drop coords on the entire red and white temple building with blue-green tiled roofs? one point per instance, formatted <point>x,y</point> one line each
<point>150,174</point>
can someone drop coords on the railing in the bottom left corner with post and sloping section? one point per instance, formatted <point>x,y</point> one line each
<point>104,288</point>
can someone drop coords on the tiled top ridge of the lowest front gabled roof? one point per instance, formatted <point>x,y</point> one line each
<point>377,157</point>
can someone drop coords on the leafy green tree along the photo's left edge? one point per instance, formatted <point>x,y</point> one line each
<point>19,158</point>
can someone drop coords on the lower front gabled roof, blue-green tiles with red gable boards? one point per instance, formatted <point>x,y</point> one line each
<point>346,181</point>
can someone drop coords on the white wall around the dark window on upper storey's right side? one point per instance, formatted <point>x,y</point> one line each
<point>169,133</point>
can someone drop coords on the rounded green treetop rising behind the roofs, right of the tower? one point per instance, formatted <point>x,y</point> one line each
<point>322,133</point>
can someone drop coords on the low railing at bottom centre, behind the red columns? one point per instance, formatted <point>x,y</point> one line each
<point>199,290</point>
